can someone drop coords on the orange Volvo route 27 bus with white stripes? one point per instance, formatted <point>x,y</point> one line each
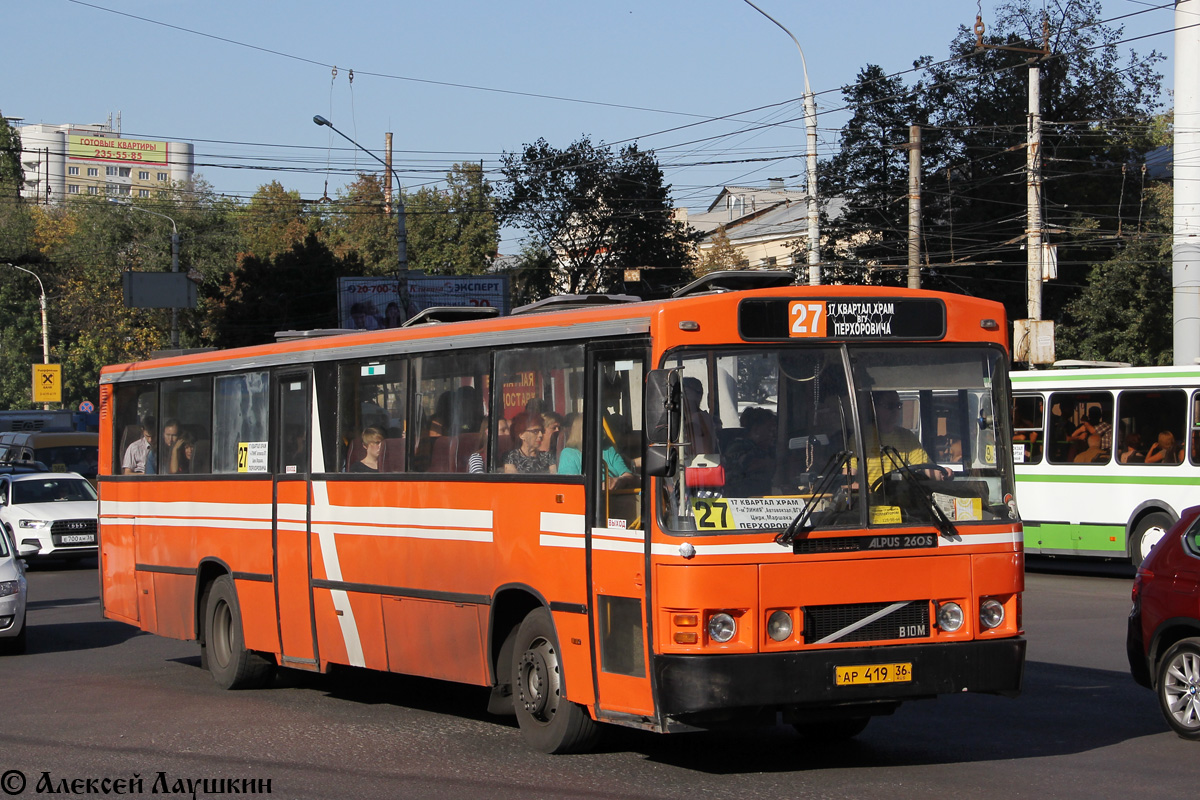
<point>740,504</point>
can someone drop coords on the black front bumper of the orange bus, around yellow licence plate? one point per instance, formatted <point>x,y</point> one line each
<point>700,684</point>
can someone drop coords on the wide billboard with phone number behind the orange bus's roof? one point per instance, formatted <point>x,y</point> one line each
<point>371,304</point>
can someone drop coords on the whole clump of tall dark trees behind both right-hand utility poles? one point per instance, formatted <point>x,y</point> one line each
<point>1097,110</point>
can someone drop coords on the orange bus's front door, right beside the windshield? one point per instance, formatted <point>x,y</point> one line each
<point>617,533</point>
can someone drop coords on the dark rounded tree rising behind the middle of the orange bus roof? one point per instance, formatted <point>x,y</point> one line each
<point>599,214</point>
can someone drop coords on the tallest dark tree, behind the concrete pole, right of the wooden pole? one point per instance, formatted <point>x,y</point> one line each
<point>1097,110</point>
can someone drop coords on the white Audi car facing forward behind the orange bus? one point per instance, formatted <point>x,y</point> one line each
<point>55,513</point>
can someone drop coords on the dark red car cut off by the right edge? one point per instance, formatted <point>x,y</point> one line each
<point>1165,625</point>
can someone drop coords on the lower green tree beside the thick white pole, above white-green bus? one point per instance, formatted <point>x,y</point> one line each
<point>1126,310</point>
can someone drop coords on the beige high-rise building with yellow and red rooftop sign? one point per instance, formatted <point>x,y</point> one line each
<point>68,160</point>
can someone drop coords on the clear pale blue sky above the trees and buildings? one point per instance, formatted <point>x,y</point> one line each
<point>471,80</point>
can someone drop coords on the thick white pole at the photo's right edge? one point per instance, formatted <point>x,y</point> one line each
<point>1186,243</point>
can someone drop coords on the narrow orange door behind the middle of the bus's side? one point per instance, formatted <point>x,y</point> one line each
<point>293,552</point>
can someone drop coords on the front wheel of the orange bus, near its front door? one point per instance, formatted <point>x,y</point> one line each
<point>549,721</point>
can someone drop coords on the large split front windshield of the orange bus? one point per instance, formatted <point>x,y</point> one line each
<point>866,436</point>
